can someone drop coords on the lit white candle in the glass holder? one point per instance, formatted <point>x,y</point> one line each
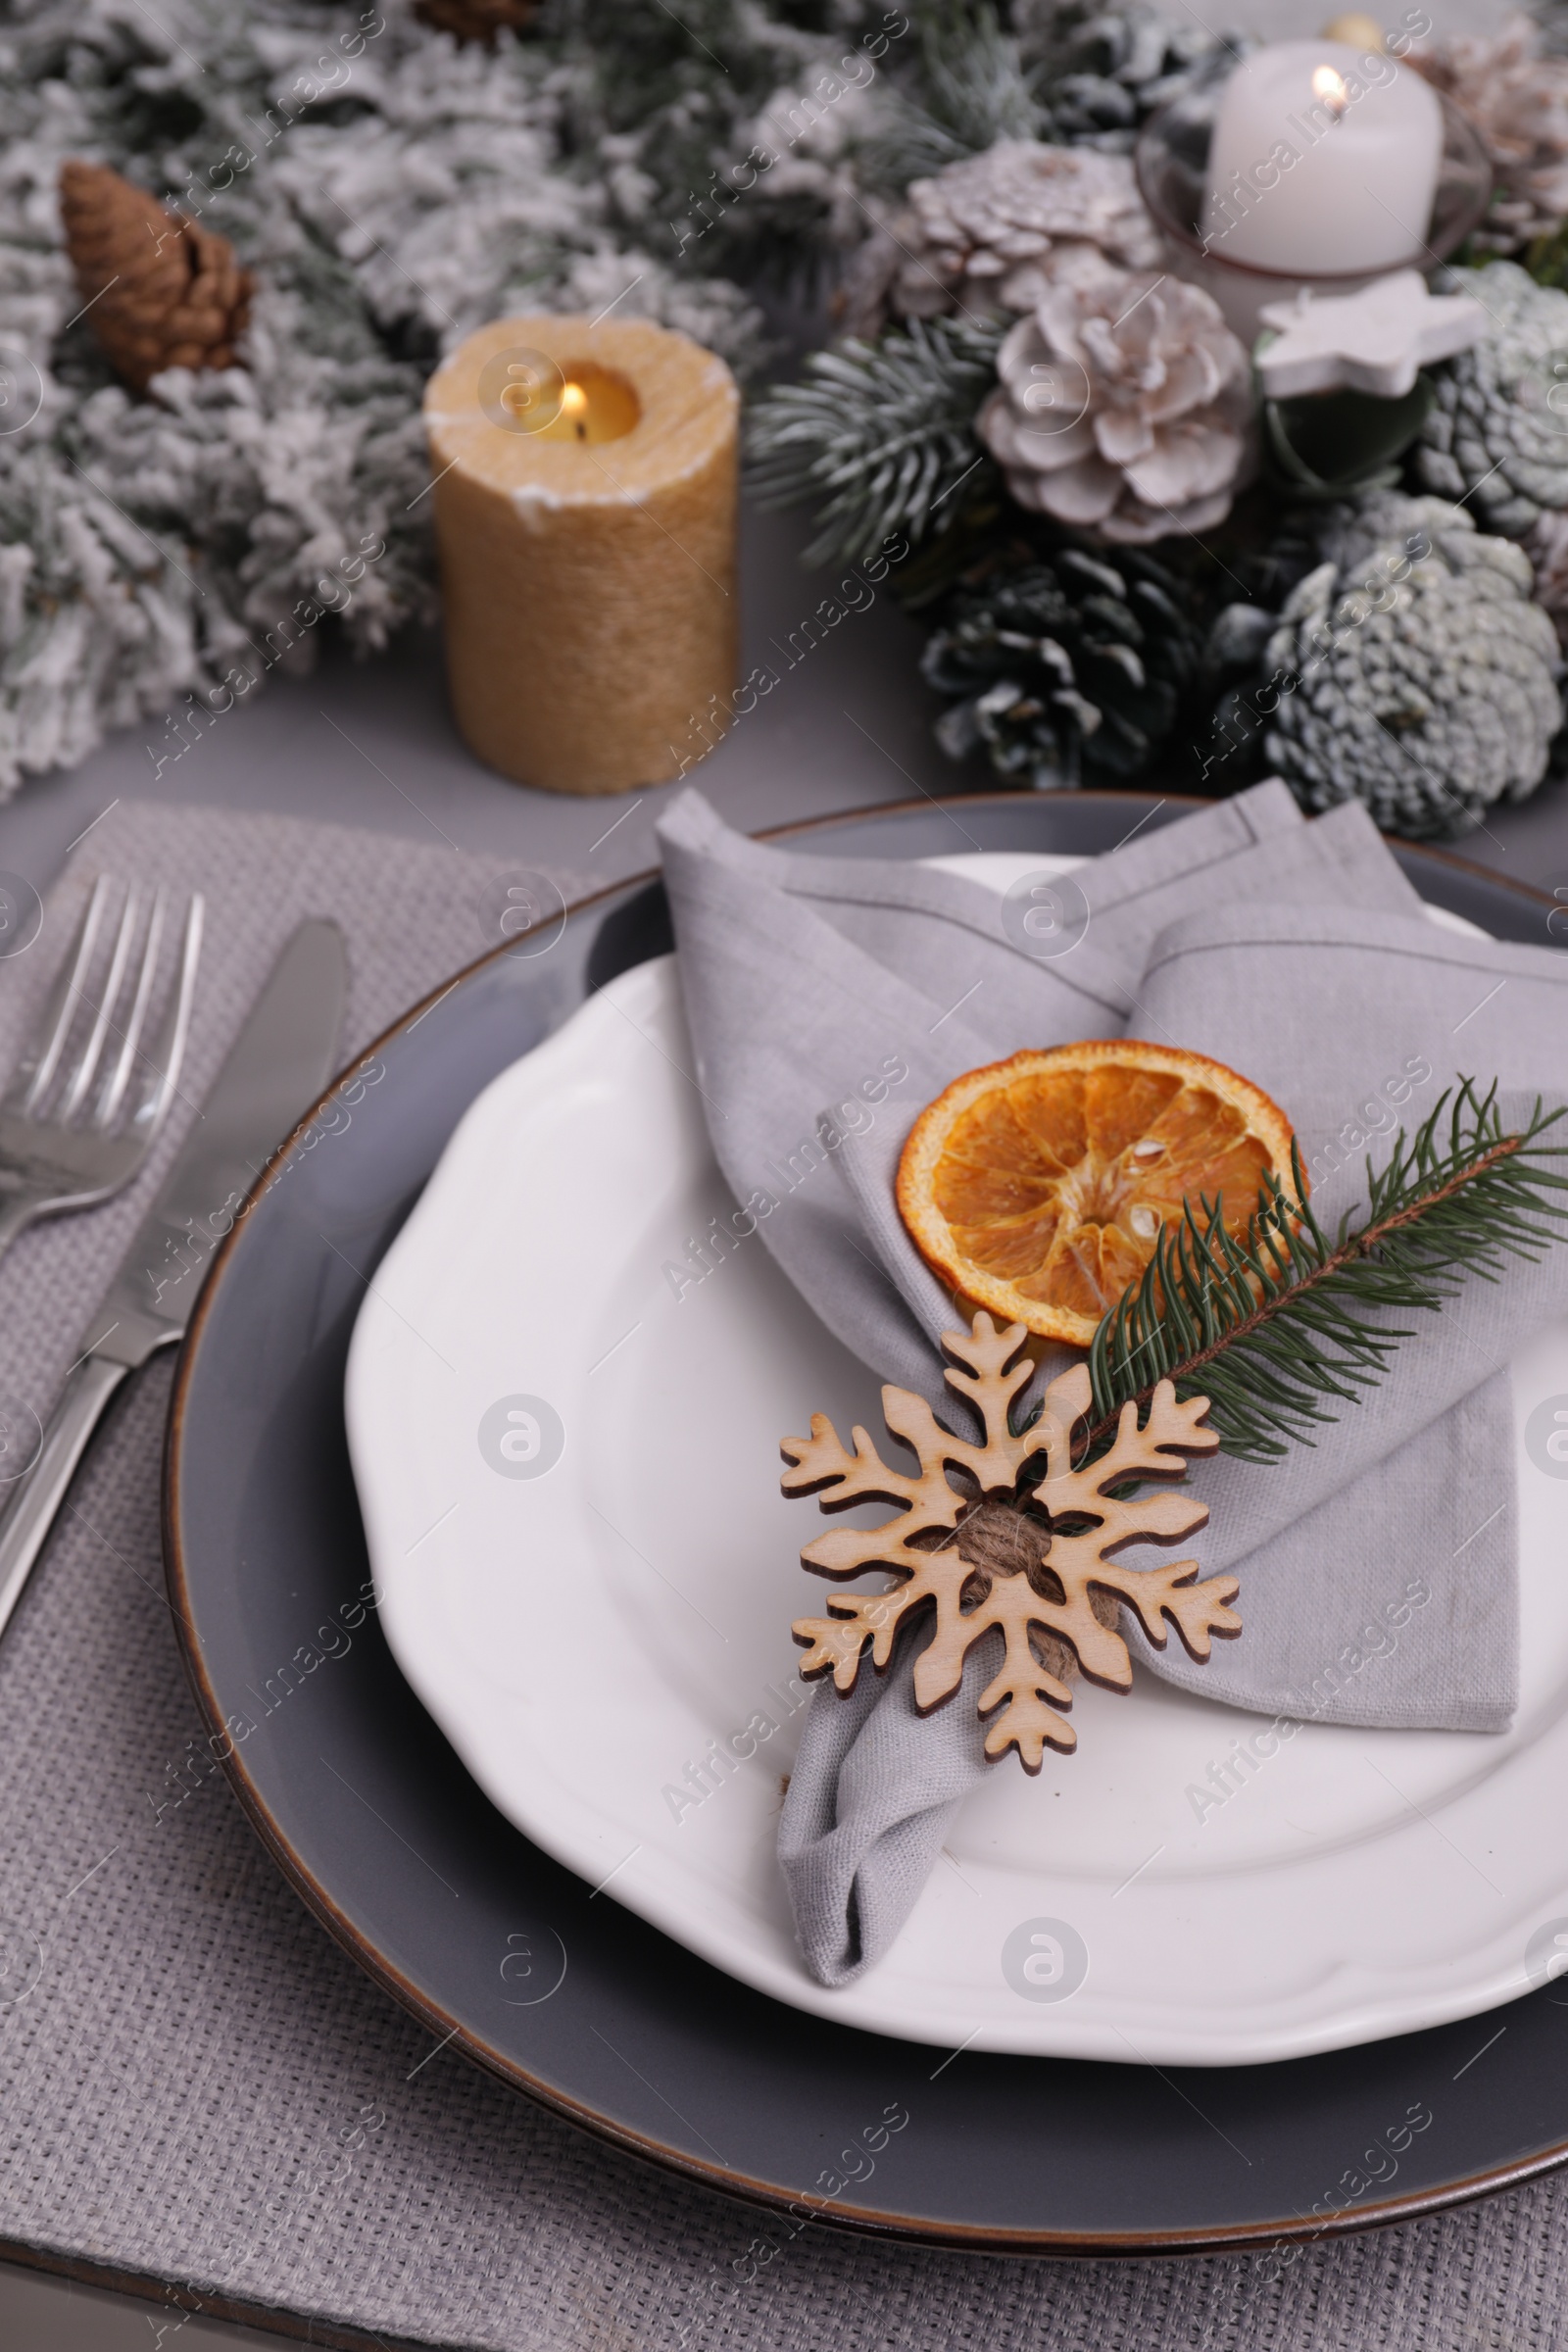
<point>1325,161</point>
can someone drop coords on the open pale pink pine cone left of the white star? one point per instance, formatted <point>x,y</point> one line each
<point>1125,408</point>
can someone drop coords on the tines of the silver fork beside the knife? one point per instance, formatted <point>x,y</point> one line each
<point>109,1041</point>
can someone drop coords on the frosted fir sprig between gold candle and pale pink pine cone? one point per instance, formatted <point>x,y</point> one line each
<point>885,432</point>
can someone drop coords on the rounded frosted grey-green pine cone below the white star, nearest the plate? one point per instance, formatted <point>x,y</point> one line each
<point>1412,671</point>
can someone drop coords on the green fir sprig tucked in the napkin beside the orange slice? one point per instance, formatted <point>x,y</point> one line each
<point>1282,1318</point>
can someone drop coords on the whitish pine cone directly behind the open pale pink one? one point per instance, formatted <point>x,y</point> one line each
<point>996,229</point>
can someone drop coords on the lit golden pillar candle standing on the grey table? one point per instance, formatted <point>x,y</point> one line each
<point>587,523</point>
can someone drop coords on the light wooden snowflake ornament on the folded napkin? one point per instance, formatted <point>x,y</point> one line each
<point>993,1549</point>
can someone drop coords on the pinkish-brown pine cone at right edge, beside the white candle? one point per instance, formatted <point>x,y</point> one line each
<point>1517,105</point>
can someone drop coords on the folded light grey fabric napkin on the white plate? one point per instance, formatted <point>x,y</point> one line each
<point>810,980</point>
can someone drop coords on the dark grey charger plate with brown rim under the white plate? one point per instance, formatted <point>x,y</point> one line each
<point>572,1998</point>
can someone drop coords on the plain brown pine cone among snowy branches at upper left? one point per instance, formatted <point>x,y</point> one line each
<point>161,293</point>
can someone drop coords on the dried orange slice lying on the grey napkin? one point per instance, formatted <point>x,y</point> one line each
<point>1040,1184</point>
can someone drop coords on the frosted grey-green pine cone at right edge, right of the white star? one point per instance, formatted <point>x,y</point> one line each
<point>1499,434</point>
